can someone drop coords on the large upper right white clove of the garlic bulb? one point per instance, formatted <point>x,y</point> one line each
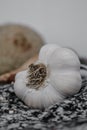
<point>64,58</point>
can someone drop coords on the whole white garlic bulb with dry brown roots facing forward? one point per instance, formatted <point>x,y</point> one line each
<point>55,75</point>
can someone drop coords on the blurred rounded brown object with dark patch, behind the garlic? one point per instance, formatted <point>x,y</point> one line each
<point>18,43</point>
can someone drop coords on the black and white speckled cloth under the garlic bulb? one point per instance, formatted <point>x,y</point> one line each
<point>70,114</point>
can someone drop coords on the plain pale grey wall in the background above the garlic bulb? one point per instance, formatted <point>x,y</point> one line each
<point>59,21</point>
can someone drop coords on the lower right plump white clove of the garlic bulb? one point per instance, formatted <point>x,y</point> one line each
<point>67,83</point>
